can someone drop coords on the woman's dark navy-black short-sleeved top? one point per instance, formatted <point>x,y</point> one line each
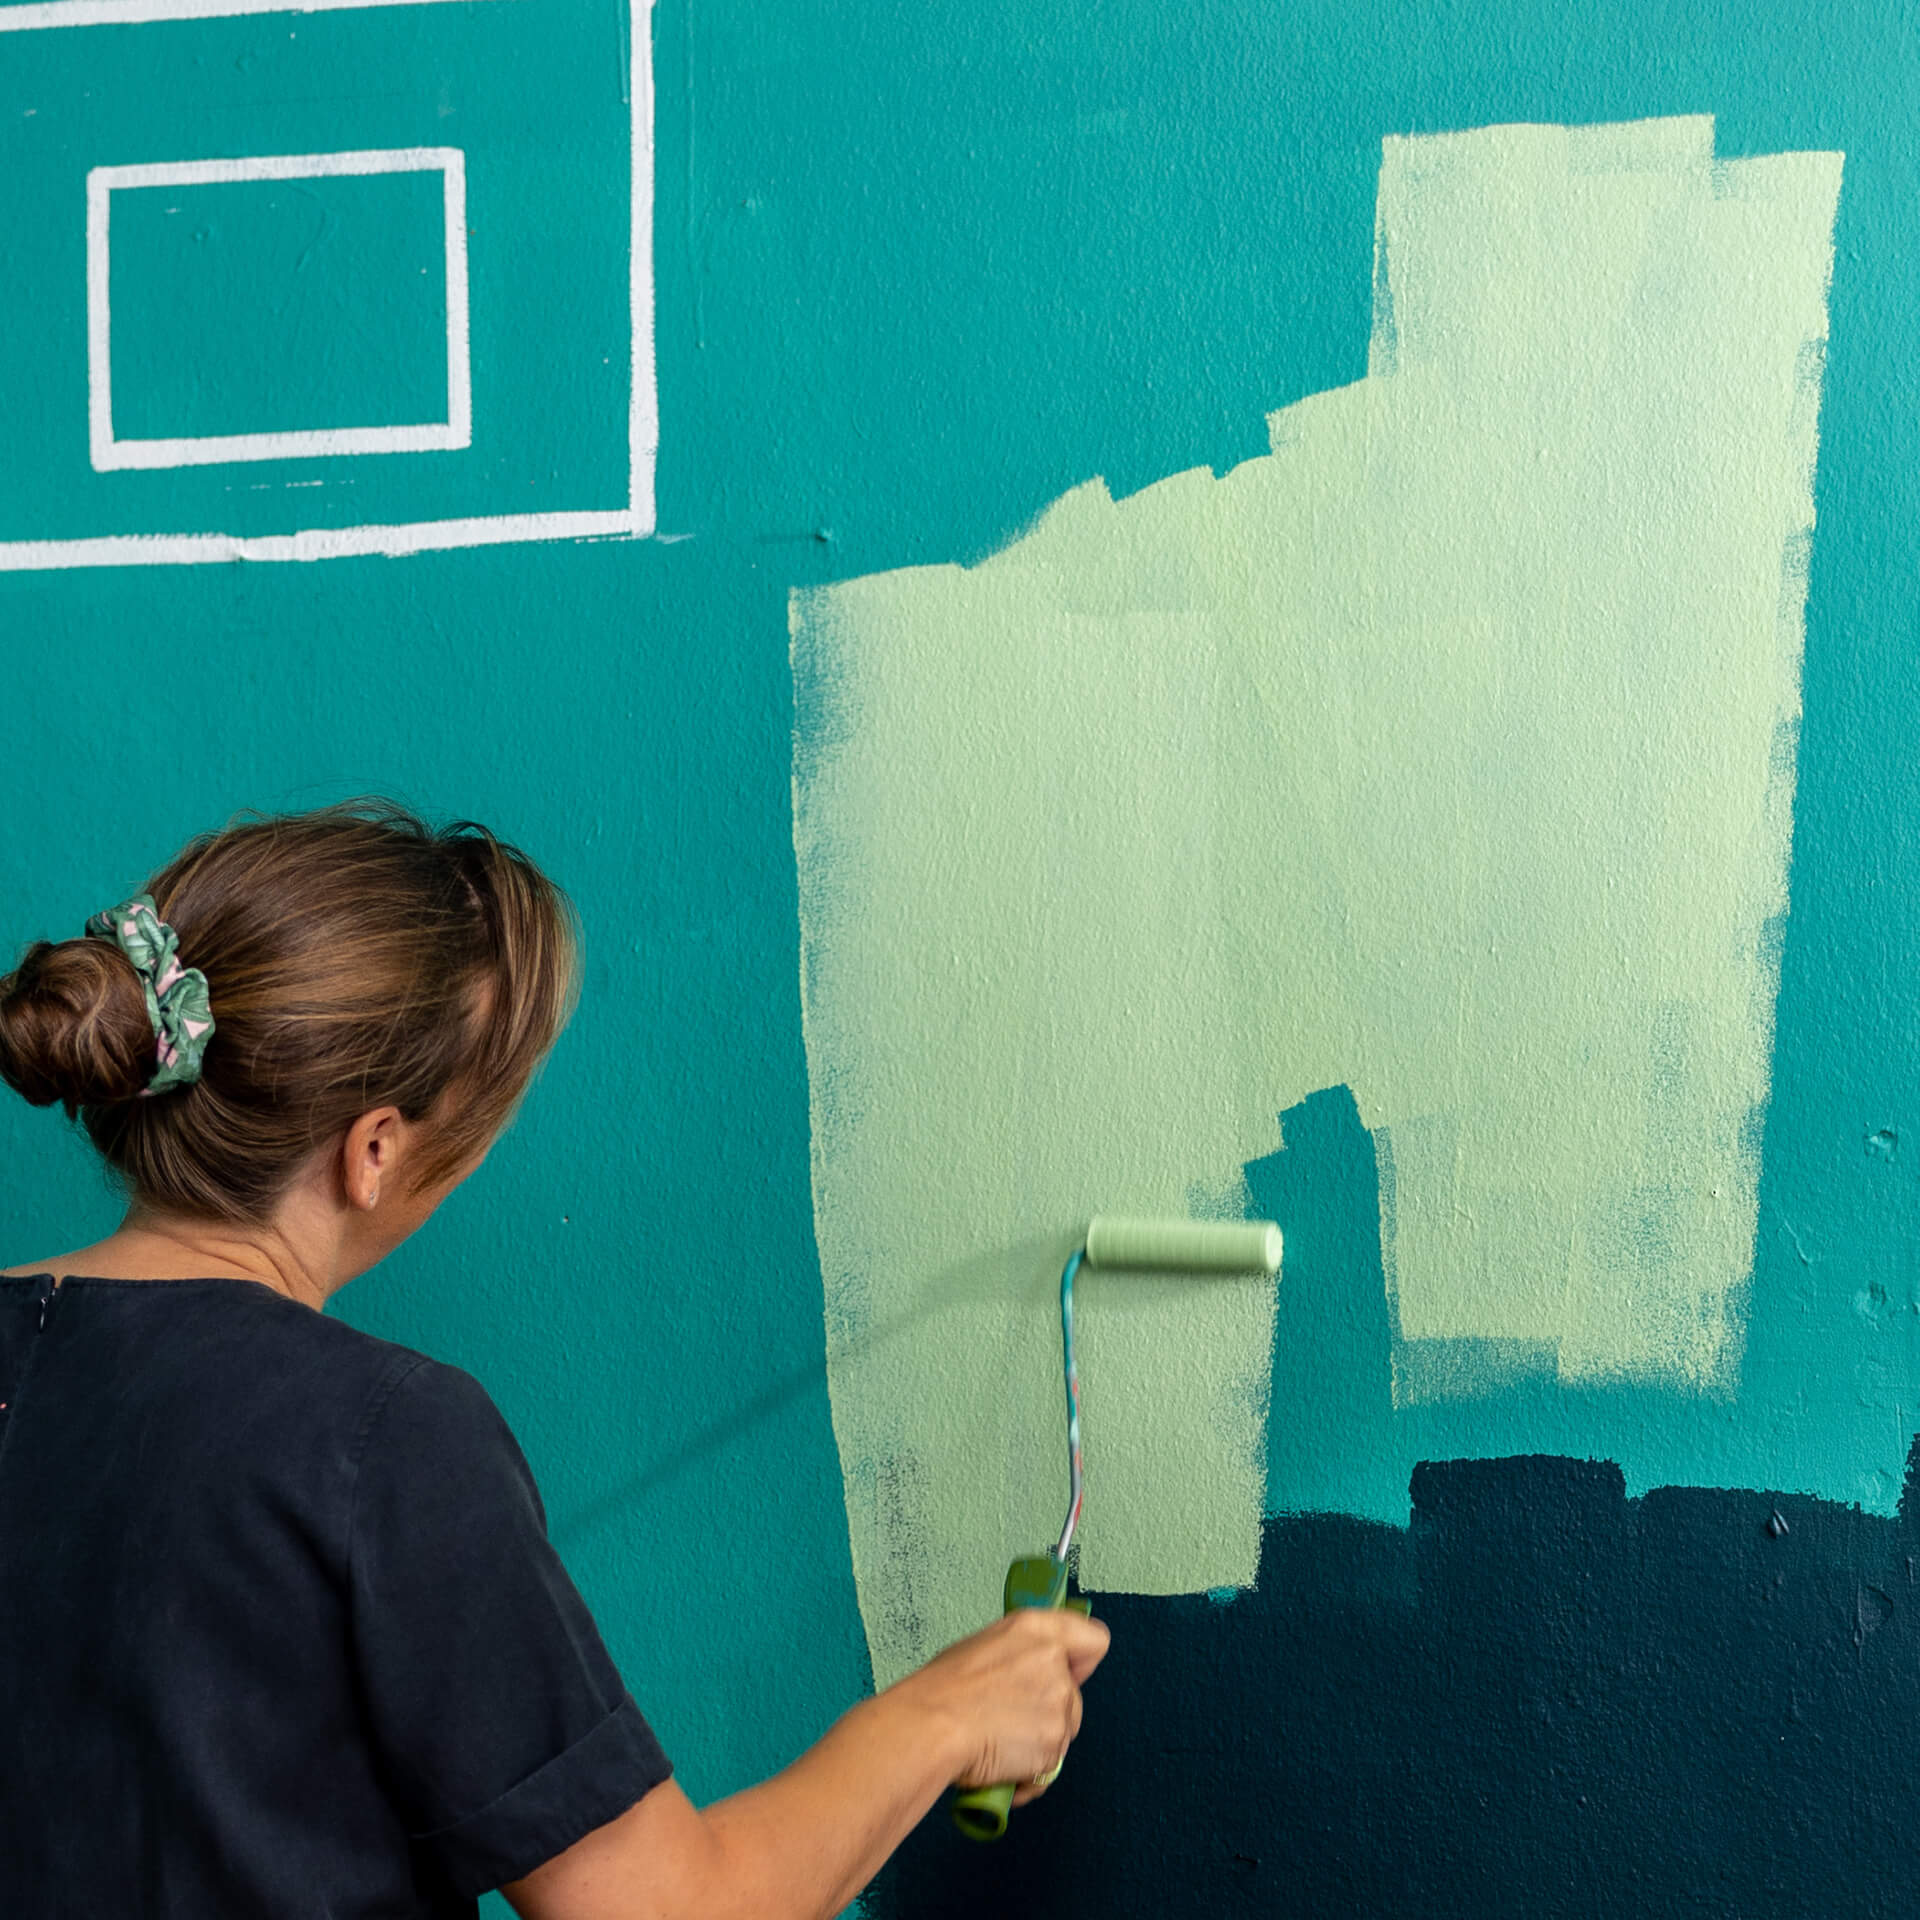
<point>281,1633</point>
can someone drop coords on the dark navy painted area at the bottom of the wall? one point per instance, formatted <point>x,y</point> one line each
<point>1541,1702</point>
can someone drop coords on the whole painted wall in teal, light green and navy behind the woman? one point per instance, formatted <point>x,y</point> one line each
<point>921,276</point>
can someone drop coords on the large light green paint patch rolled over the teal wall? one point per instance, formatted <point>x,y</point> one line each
<point>1445,754</point>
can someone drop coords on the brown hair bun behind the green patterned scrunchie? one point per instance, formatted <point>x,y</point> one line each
<point>74,1026</point>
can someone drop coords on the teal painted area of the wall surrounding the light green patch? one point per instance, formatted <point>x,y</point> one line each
<point>921,270</point>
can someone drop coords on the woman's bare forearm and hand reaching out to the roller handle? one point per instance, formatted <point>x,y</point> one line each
<point>1001,1706</point>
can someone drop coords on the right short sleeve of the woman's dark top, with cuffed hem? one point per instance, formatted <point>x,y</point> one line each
<point>500,1719</point>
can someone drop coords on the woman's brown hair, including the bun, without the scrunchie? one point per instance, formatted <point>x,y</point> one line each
<point>354,959</point>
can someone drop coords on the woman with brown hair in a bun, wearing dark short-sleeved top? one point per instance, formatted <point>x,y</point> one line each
<point>281,1631</point>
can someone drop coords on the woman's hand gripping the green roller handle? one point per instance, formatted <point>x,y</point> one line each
<point>1011,1696</point>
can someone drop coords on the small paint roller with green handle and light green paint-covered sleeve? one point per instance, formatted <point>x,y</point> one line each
<point>1141,1247</point>
